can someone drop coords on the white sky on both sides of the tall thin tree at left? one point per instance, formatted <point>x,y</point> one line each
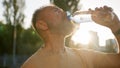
<point>31,6</point>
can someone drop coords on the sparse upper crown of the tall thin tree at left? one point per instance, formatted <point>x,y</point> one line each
<point>14,11</point>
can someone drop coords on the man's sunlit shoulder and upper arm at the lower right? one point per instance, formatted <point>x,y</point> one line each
<point>101,59</point>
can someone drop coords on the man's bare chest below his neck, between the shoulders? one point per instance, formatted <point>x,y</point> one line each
<point>68,60</point>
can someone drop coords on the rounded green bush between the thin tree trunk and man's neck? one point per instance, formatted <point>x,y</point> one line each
<point>28,42</point>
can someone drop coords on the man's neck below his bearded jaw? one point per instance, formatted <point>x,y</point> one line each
<point>54,44</point>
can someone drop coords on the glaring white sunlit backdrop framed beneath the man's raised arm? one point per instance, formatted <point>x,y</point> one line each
<point>91,32</point>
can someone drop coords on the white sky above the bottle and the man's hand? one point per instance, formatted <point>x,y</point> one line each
<point>99,3</point>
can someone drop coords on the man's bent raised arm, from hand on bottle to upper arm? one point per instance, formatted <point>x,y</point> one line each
<point>106,17</point>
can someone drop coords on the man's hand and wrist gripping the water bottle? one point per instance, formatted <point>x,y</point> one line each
<point>106,17</point>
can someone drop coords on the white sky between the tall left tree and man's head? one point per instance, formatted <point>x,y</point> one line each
<point>31,6</point>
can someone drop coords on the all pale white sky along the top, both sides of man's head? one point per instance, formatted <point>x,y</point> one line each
<point>32,5</point>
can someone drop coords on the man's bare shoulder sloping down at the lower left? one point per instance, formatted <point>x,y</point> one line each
<point>35,61</point>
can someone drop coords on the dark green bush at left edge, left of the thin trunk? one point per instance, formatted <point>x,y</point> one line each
<point>6,38</point>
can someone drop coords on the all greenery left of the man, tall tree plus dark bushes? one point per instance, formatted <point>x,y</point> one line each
<point>27,41</point>
